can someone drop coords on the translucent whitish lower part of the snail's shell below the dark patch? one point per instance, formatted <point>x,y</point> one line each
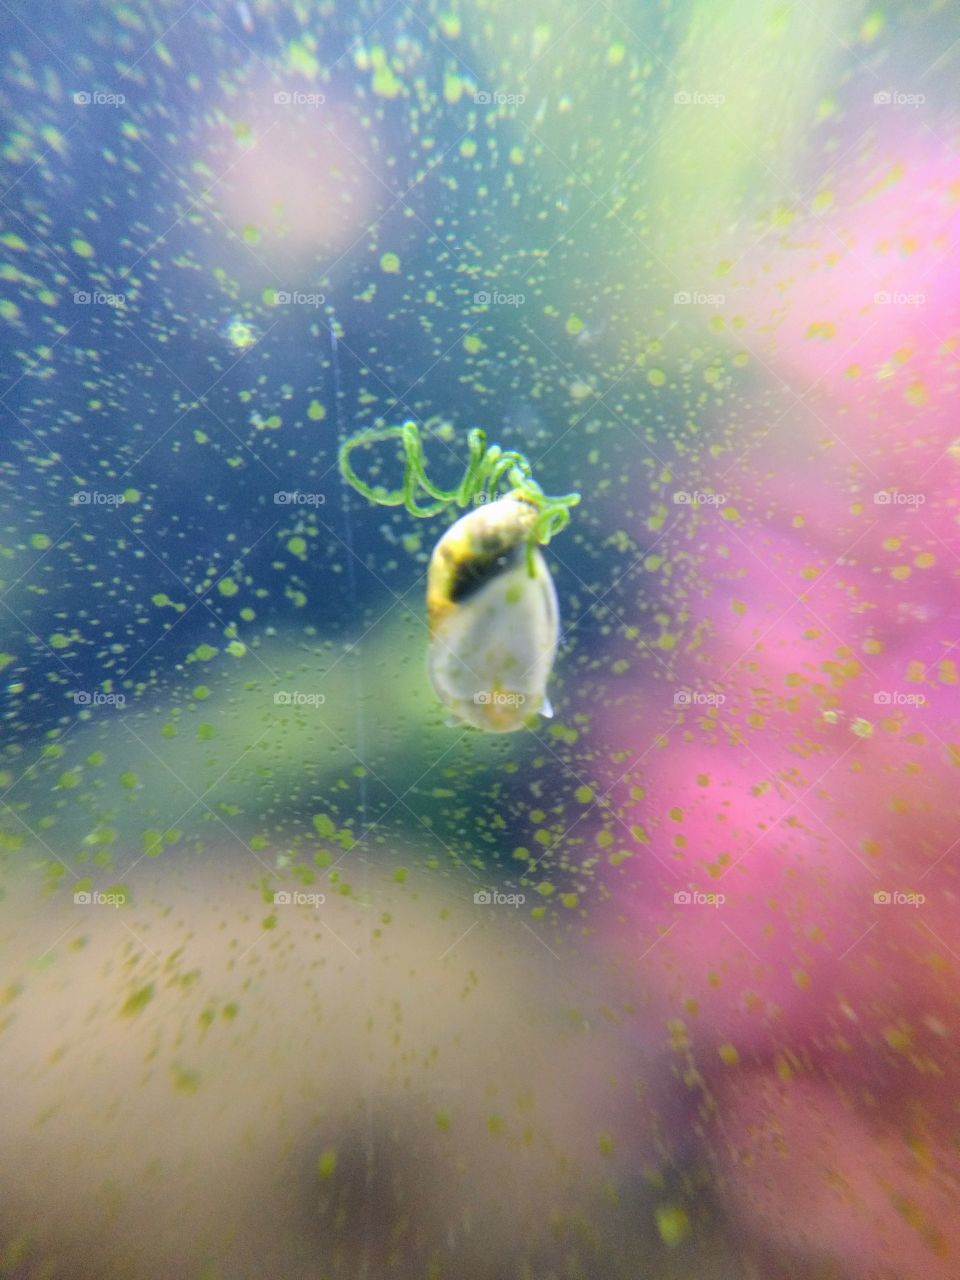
<point>492,655</point>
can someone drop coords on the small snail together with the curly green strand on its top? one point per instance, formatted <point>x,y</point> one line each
<point>492,606</point>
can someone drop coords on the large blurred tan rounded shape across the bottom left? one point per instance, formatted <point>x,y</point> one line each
<point>406,1089</point>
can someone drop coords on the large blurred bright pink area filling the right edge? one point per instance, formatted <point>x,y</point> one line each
<point>819,1022</point>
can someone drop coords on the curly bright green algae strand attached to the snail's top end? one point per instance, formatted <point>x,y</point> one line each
<point>490,469</point>
